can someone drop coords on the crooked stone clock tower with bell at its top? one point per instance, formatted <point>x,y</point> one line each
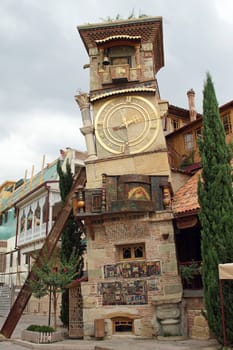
<point>133,284</point>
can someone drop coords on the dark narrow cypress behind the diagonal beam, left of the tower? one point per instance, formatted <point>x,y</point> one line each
<point>72,238</point>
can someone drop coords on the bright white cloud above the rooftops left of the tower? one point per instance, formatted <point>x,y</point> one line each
<point>31,138</point>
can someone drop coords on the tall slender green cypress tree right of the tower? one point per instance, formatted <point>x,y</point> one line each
<point>216,212</point>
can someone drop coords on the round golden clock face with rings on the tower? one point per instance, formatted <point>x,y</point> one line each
<point>126,124</point>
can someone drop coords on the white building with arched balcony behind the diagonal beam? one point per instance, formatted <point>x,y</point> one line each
<point>28,210</point>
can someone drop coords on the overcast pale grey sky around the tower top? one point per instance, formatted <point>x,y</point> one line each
<point>42,58</point>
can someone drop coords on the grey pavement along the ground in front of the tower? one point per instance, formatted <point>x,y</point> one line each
<point>122,342</point>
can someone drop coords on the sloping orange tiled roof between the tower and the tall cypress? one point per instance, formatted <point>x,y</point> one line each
<point>185,199</point>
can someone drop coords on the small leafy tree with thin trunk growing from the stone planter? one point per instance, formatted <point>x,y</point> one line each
<point>52,278</point>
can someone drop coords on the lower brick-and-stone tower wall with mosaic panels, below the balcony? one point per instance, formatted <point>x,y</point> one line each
<point>156,233</point>
